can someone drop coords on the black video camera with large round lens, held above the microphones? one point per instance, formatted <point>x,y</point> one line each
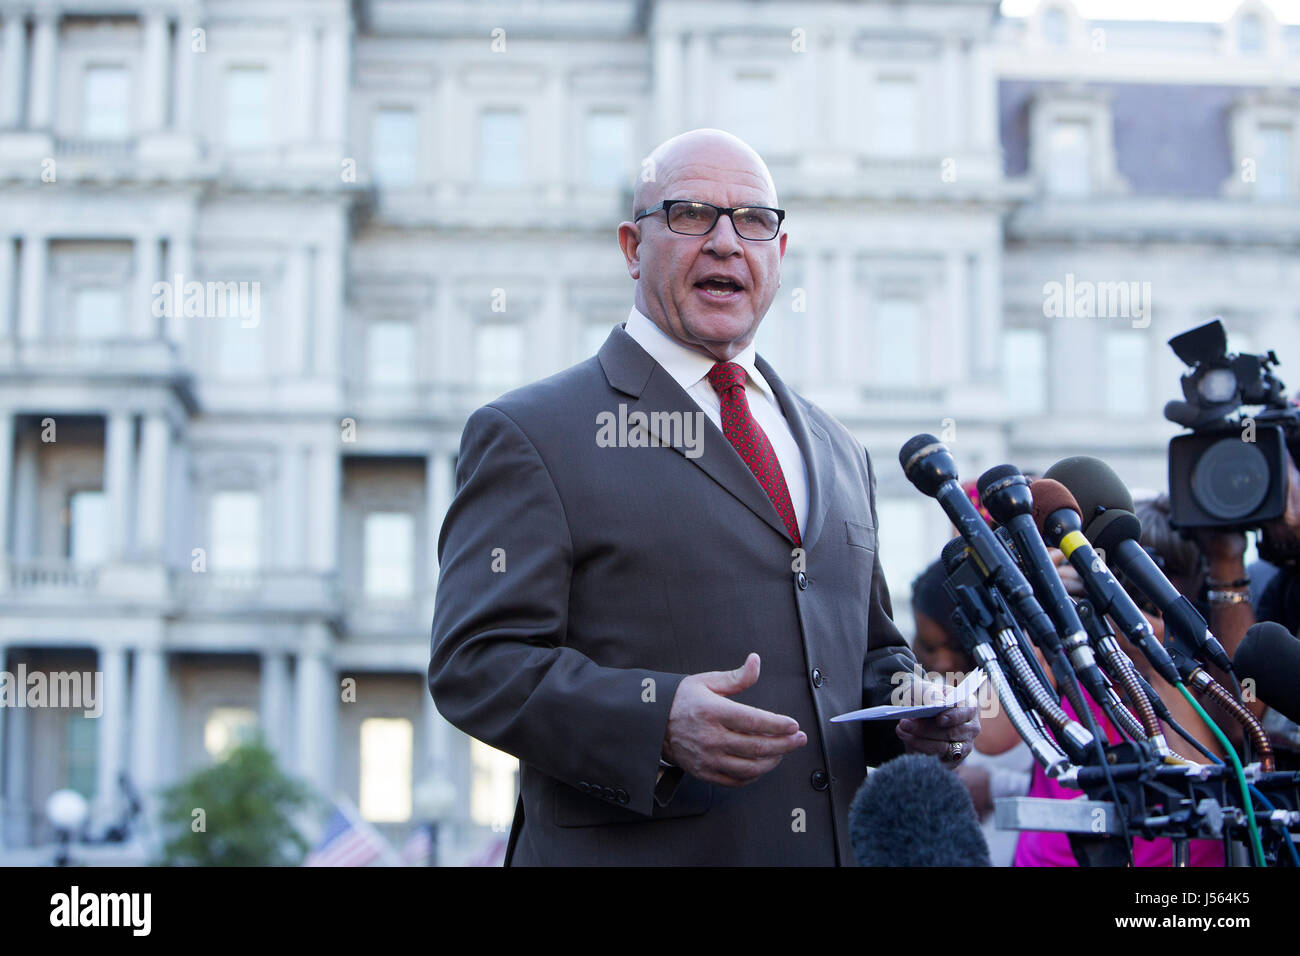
<point>1232,471</point>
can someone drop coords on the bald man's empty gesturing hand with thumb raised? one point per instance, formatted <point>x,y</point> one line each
<point>723,742</point>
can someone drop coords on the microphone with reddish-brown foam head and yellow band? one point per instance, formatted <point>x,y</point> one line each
<point>1059,520</point>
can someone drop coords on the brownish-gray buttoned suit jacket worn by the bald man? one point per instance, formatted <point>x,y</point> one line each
<point>627,569</point>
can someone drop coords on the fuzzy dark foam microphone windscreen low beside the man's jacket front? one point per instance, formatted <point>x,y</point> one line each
<point>912,812</point>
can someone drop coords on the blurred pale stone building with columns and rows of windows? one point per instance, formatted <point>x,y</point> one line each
<point>261,261</point>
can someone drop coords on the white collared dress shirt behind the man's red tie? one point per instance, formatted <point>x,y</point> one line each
<point>691,370</point>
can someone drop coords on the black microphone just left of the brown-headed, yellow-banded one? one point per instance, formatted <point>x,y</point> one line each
<point>1006,495</point>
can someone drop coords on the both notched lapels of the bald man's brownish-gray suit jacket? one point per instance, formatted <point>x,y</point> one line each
<point>631,370</point>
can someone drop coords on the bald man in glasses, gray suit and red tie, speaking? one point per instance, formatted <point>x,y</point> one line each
<point>627,531</point>
